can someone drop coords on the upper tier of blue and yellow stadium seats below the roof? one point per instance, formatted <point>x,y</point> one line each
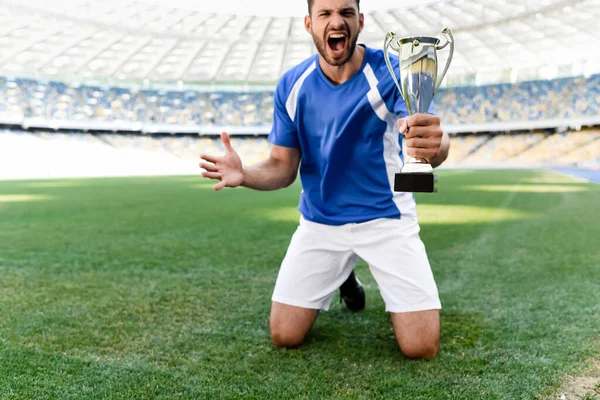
<point>526,101</point>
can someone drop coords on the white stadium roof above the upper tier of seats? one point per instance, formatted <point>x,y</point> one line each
<point>205,41</point>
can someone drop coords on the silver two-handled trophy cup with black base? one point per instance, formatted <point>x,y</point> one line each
<point>418,74</point>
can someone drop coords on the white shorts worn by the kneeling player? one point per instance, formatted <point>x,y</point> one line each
<point>321,257</point>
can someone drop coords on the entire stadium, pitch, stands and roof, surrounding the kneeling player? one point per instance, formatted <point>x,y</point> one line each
<point>155,287</point>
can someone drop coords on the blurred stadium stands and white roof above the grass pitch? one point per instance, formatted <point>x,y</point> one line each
<point>126,87</point>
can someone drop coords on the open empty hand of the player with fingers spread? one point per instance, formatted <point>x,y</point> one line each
<point>227,169</point>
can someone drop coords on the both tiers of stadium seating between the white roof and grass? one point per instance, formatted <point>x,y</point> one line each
<point>26,101</point>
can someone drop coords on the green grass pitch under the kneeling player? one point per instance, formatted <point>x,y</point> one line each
<point>160,288</point>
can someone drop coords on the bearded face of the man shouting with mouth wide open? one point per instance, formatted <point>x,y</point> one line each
<point>334,26</point>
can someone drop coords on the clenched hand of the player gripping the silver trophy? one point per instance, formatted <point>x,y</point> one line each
<point>425,138</point>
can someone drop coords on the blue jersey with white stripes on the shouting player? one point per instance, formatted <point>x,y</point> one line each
<point>350,143</point>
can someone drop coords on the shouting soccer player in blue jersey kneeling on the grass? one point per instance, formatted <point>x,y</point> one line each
<point>340,119</point>
